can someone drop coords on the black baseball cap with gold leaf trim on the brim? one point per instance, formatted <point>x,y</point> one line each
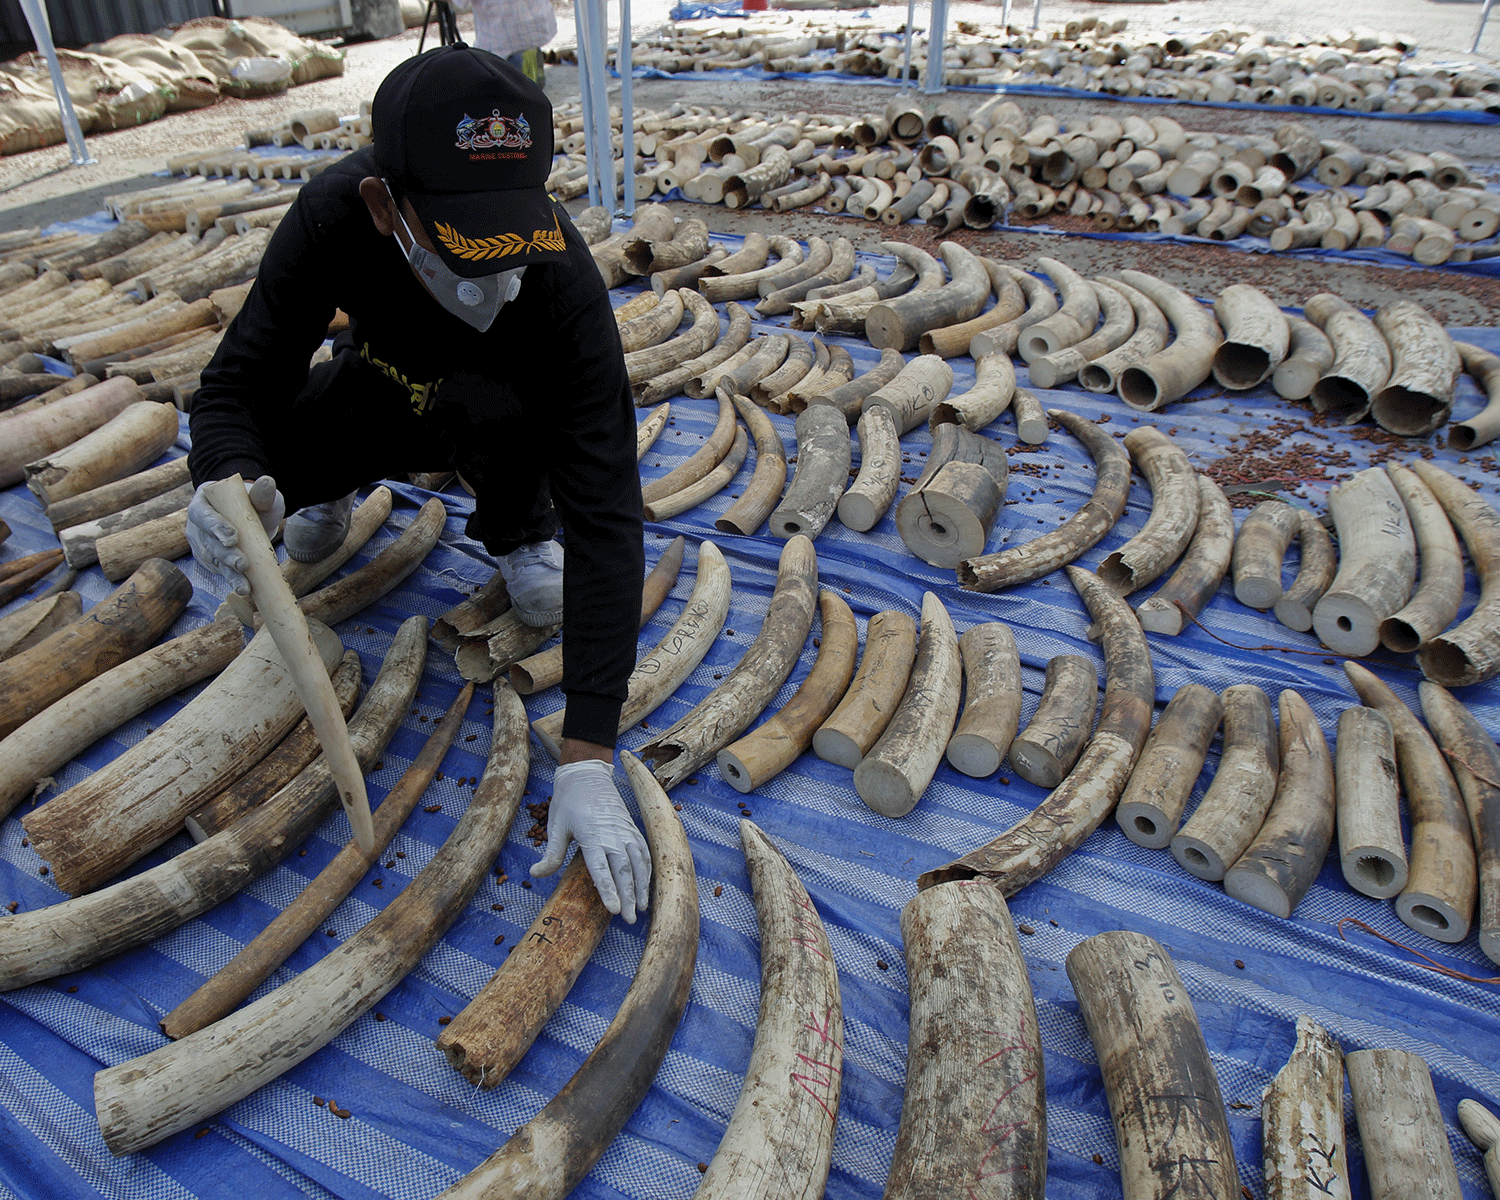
<point>469,140</point>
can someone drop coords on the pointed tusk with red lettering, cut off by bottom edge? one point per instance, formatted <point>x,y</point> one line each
<point>781,1138</point>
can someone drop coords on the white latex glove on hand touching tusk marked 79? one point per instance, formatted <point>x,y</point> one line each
<point>587,809</point>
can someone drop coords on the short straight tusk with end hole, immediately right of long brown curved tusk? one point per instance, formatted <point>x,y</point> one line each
<point>1169,767</point>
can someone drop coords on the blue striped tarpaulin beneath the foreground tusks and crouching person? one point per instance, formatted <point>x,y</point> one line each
<point>416,1126</point>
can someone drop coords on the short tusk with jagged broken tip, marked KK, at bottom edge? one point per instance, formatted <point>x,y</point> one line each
<point>1303,1120</point>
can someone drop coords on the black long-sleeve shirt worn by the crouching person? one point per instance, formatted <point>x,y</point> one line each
<point>548,377</point>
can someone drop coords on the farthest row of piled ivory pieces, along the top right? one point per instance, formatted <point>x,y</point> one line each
<point>1361,71</point>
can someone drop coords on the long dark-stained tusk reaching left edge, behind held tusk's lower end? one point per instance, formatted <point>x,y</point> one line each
<point>79,934</point>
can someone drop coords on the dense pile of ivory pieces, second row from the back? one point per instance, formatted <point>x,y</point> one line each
<point>997,166</point>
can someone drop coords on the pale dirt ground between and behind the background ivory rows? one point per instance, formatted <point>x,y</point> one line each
<point>41,187</point>
